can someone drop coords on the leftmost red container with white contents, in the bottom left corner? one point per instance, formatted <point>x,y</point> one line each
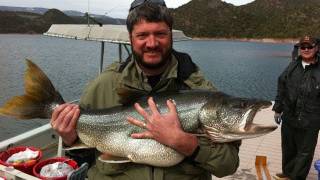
<point>24,167</point>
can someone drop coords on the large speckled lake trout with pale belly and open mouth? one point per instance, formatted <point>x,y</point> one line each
<point>214,115</point>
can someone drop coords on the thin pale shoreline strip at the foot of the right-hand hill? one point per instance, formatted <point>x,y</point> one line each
<point>262,40</point>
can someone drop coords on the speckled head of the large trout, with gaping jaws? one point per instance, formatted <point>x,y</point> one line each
<point>226,118</point>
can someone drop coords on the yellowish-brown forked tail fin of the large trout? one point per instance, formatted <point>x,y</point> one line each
<point>40,96</point>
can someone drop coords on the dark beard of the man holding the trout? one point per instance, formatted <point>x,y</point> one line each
<point>164,59</point>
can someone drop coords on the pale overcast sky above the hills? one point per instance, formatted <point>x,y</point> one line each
<point>112,8</point>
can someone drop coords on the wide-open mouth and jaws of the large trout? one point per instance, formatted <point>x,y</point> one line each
<point>253,128</point>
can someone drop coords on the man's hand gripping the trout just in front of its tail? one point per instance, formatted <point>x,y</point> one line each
<point>63,121</point>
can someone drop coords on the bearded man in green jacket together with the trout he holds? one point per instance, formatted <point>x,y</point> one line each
<point>189,134</point>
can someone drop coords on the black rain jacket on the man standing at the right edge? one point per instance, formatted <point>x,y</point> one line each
<point>298,96</point>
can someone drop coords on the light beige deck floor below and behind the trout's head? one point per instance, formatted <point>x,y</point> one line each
<point>269,146</point>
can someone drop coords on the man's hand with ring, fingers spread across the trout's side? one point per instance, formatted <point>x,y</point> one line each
<point>164,128</point>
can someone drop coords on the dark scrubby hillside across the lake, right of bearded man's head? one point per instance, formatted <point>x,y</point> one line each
<point>259,19</point>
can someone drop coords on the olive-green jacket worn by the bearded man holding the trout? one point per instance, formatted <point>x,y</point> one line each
<point>217,159</point>
